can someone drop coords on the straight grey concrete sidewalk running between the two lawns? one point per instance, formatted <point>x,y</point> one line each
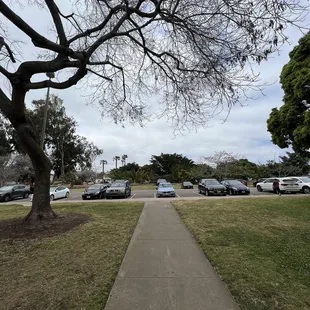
<point>164,269</point>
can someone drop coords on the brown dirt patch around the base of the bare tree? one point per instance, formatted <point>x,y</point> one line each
<point>15,228</point>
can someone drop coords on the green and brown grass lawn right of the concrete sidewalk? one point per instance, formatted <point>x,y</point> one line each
<point>260,247</point>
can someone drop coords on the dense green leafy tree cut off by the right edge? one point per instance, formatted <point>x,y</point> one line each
<point>289,125</point>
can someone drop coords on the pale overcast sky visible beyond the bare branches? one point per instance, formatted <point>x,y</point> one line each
<point>244,132</point>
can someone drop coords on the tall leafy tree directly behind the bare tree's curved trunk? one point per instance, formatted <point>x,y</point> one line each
<point>67,150</point>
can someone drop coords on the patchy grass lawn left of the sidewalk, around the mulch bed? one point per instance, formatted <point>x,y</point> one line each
<point>73,270</point>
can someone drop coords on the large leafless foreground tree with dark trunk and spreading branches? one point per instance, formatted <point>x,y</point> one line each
<point>195,54</point>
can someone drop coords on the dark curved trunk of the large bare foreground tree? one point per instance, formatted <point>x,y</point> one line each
<point>15,111</point>
